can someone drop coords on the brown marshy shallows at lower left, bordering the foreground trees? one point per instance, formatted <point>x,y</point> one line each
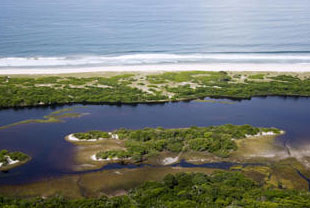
<point>96,184</point>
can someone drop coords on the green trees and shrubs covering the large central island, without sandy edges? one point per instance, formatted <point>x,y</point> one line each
<point>142,143</point>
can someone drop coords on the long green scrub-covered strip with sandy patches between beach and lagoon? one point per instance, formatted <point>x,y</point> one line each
<point>148,87</point>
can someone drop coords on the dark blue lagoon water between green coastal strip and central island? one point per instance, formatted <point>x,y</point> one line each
<point>52,155</point>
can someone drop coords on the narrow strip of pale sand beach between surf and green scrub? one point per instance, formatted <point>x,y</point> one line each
<point>172,67</point>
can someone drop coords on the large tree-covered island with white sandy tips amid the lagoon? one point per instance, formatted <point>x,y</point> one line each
<point>144,145</point>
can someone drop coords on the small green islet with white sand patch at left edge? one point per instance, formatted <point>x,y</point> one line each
<point>9,160</point>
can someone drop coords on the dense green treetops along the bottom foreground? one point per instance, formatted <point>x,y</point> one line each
<point>183,190</point>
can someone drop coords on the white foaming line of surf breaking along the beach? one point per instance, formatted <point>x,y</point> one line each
<point>148,59</point>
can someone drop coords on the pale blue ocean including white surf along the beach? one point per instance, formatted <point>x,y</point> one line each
<point>78,33</point>
